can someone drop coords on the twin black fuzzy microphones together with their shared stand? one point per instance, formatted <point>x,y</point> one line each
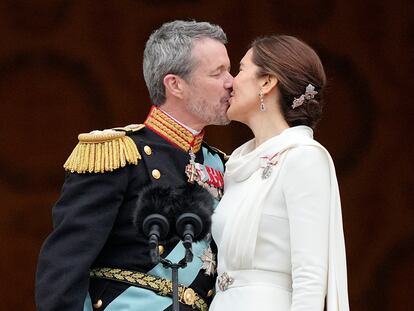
<point>189,224</point>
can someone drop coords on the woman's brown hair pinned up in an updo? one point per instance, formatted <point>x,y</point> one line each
<point>296,65</point>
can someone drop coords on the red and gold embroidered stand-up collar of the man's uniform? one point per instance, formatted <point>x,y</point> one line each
<point>172,131</point>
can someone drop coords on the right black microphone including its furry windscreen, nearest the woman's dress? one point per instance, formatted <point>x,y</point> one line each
<point>193,213</point>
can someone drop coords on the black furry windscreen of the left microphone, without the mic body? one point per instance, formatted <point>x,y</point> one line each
<point>154,200</point>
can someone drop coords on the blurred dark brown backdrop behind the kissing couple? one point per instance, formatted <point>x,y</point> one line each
<point>73,66</point>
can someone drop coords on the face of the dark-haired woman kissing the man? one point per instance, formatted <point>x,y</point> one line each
<point>244,100</point>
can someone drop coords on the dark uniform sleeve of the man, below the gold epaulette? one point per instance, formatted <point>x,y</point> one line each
<point>82,220</point>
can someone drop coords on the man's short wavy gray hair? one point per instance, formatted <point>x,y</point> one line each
<point>168,51</point>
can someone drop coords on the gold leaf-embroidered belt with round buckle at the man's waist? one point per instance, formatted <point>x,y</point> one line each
<point>160,286</point>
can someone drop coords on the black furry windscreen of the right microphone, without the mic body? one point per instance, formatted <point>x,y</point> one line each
<point>195,199</point>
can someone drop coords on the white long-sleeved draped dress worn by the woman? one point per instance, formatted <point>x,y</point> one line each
<point>278,228</point>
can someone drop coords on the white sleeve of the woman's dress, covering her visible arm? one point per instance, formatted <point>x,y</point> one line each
<point>306,187</point>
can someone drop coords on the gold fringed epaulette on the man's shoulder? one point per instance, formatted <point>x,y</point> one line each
<point>104,151</point>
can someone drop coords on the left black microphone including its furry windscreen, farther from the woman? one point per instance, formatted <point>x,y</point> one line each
<point>153,216</point>
